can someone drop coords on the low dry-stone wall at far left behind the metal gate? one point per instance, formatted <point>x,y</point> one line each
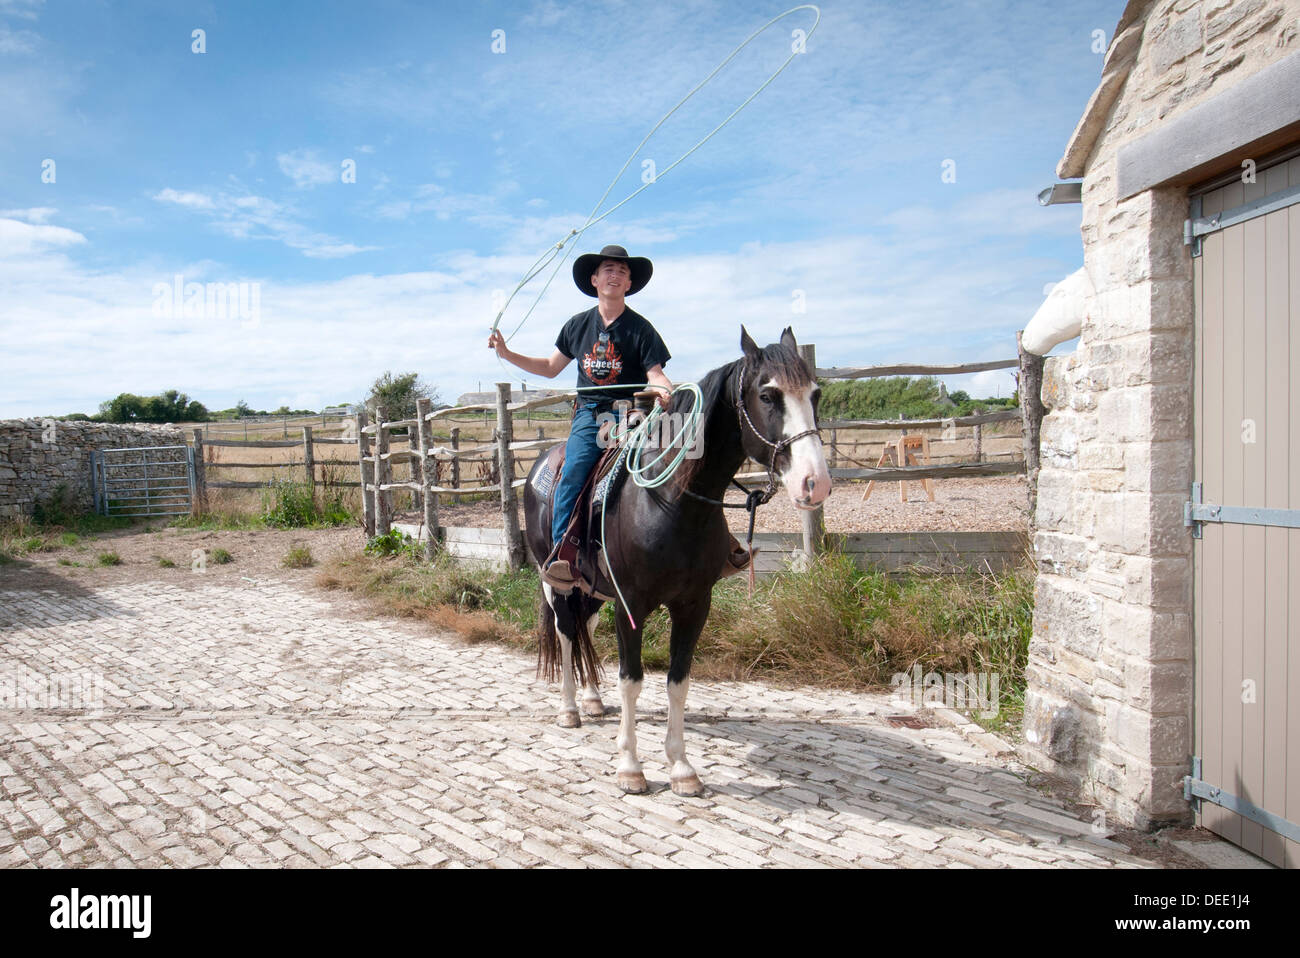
<point>38,457</point>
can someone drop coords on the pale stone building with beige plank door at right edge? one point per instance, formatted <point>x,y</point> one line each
<point>1159,654</point>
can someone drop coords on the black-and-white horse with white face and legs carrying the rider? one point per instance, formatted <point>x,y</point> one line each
<point>668,547</point>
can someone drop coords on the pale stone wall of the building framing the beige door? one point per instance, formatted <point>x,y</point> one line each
<point>1111,662</point>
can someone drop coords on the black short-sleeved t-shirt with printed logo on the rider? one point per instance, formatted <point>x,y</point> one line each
<point>618,354</point>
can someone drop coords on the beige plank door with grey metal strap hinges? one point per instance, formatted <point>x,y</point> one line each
<point>1245,511</point>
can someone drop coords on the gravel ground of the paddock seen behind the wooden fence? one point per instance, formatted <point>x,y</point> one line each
<point>995,504</point>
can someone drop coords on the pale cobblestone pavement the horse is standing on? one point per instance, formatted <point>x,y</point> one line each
<point>262,726</point>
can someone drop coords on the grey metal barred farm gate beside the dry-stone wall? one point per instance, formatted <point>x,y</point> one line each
<point>144,482</point>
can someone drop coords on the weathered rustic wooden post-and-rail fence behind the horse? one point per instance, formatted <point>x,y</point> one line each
<point>432,466</point>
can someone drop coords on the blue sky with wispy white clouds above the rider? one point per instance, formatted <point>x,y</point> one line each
<point>824,206</point>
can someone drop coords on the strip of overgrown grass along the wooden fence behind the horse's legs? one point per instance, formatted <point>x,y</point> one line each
<point>834,626</point>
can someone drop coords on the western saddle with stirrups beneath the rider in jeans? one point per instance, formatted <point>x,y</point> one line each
<point>582,537</point>
